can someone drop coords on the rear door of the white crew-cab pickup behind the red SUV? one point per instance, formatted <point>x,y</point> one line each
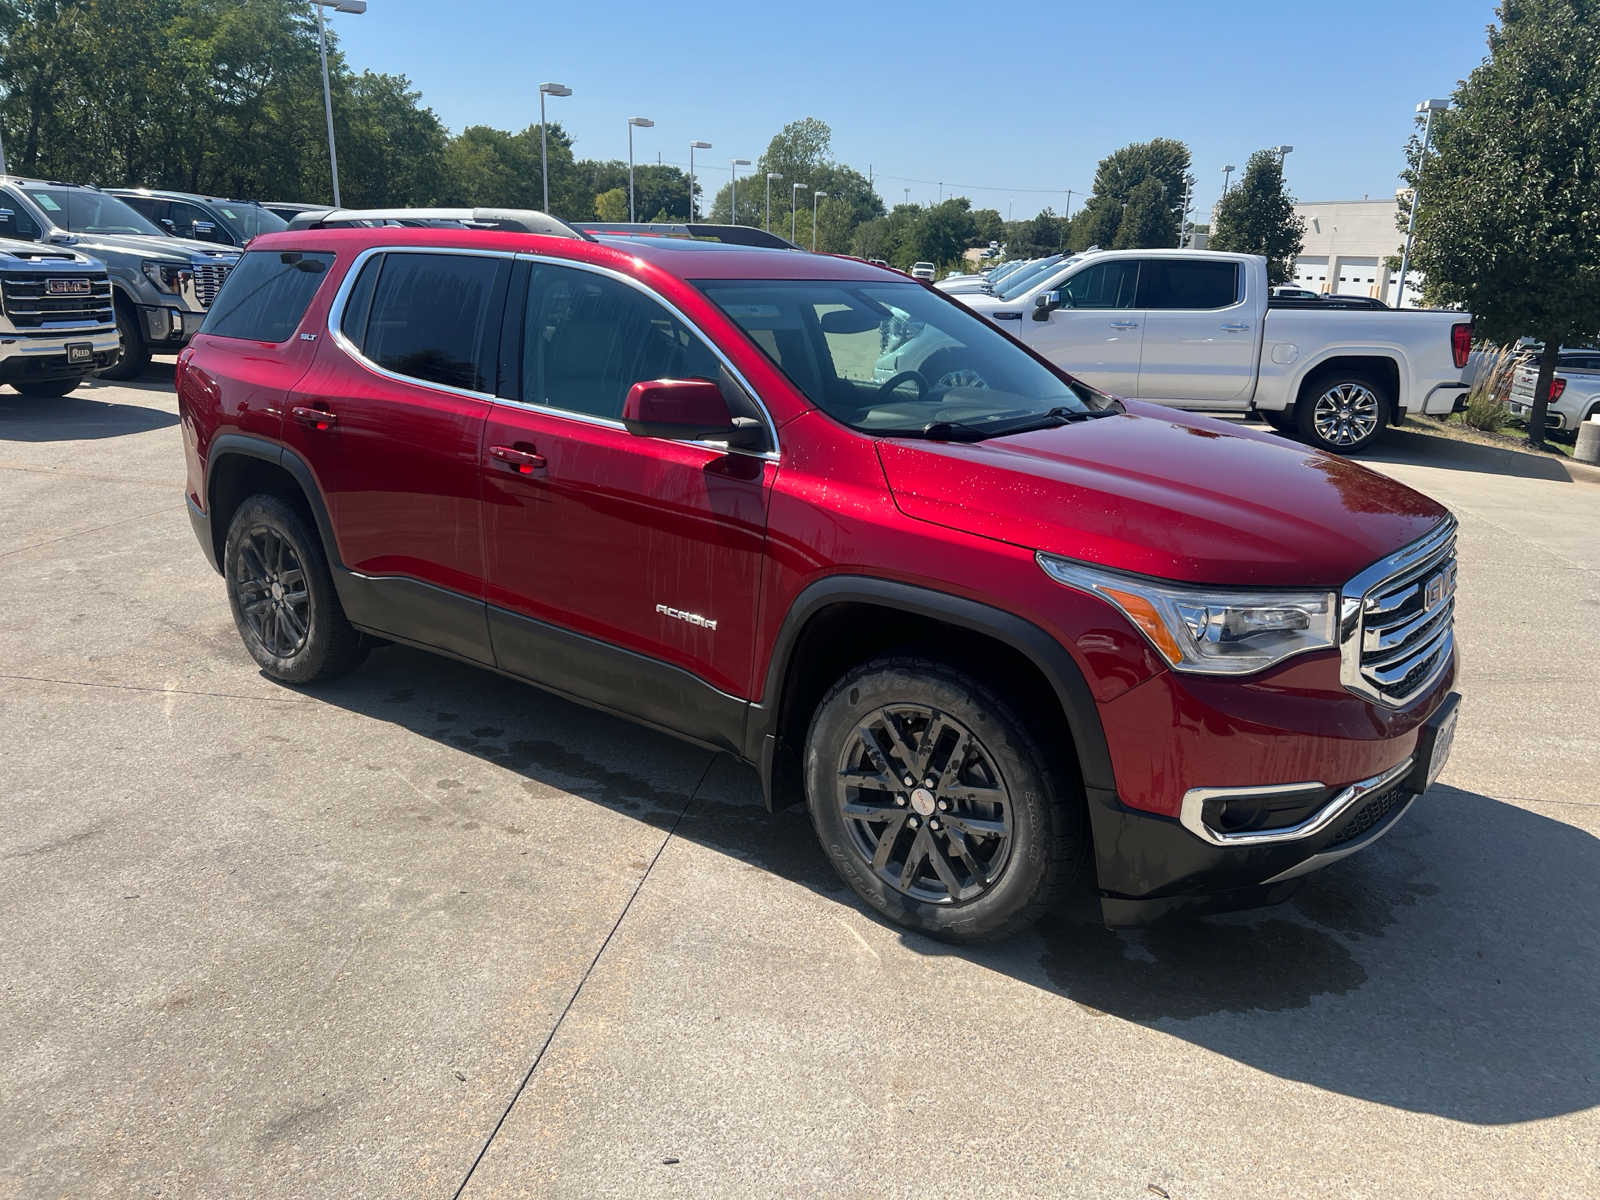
<point>1201,334</point>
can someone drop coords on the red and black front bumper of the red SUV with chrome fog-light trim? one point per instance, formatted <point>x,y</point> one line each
<point>1238,846</point>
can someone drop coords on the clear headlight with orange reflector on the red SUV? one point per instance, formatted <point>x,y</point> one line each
<point>1210,631</point>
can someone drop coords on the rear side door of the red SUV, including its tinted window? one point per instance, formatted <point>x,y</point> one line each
<point>390,420</point>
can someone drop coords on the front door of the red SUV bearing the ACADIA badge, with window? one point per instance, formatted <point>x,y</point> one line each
<point>623,570</point>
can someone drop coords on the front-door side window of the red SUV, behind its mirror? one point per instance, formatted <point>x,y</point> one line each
<point>590,340</point>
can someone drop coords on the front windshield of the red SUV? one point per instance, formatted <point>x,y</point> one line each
<point>897,359</point>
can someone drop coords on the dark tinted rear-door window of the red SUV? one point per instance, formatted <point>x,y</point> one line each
<point>431,318</point>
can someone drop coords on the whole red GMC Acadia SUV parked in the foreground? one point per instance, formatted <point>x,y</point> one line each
<point>1004,634</point>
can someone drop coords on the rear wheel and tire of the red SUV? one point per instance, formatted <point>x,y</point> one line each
<point>282,596</point>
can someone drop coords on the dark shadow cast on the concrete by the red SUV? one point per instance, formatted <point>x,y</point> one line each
<point>1454,969</point>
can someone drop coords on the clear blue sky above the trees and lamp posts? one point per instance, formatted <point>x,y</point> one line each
<point>1009,105</point>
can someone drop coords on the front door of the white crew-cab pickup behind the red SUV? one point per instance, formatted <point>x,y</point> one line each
<point>1095,332</point>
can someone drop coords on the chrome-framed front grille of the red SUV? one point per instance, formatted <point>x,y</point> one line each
<point>1398,622</point>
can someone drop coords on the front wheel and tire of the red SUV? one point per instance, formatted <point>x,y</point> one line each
<point>1009,839</point>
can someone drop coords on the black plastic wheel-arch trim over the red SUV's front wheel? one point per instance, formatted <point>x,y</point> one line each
<point>1050,657</point>
